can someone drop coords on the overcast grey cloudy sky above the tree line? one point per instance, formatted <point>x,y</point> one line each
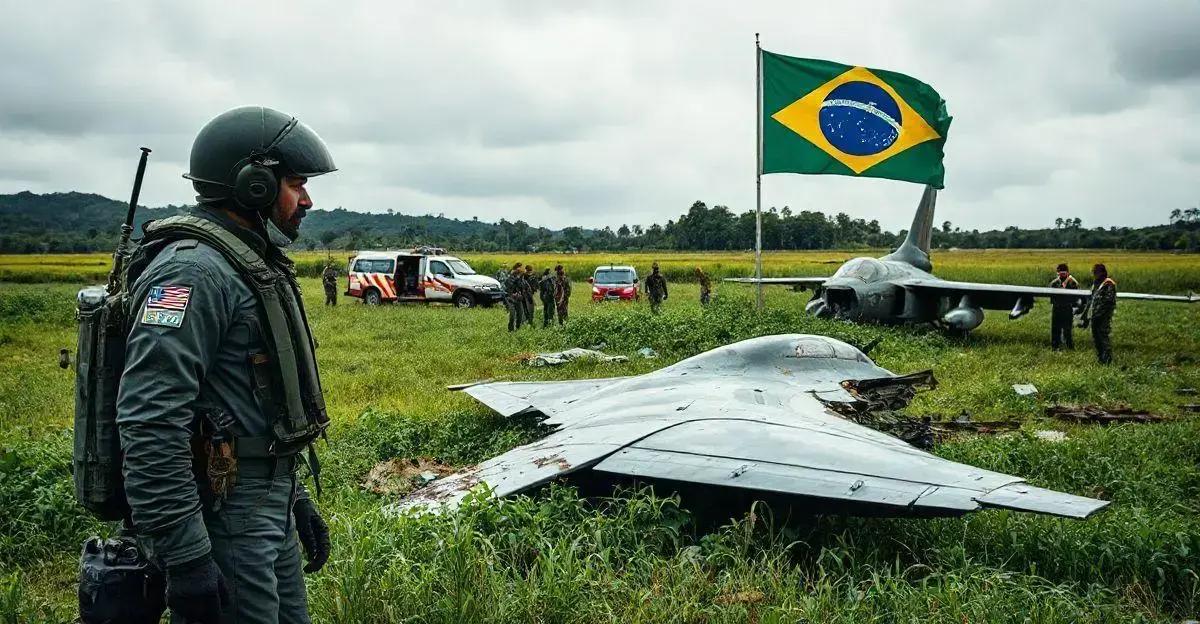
<point>566,113</point>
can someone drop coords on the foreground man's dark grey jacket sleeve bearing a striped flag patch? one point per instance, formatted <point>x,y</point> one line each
<point>167,359</point>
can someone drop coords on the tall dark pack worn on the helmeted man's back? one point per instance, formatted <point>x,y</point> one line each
<point>100,362</point>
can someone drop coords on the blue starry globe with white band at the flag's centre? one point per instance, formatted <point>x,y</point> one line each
<point>860,119</point>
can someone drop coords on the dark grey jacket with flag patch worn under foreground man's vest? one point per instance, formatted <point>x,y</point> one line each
<point>171,371</point>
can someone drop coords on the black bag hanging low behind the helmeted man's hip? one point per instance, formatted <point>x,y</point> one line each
<point>118,584</point>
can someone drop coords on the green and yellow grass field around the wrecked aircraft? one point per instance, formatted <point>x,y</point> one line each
<point>640,556</point>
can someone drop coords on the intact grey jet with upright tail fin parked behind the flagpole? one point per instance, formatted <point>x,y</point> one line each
<point>899,287</point>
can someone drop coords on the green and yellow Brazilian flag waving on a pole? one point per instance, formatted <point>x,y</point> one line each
<point>827,118</point>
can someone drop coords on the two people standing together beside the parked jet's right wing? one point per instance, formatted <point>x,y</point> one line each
<point>1096,313</point>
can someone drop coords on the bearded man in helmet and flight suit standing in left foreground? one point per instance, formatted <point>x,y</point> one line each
<point>231,551</point>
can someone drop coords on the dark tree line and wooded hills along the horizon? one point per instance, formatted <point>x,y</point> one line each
<point>82,223</point>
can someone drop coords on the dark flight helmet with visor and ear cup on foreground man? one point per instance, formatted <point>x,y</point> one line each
<point>242,154</point>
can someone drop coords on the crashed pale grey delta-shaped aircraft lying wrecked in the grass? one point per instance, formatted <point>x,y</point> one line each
<point>765,416</point>
